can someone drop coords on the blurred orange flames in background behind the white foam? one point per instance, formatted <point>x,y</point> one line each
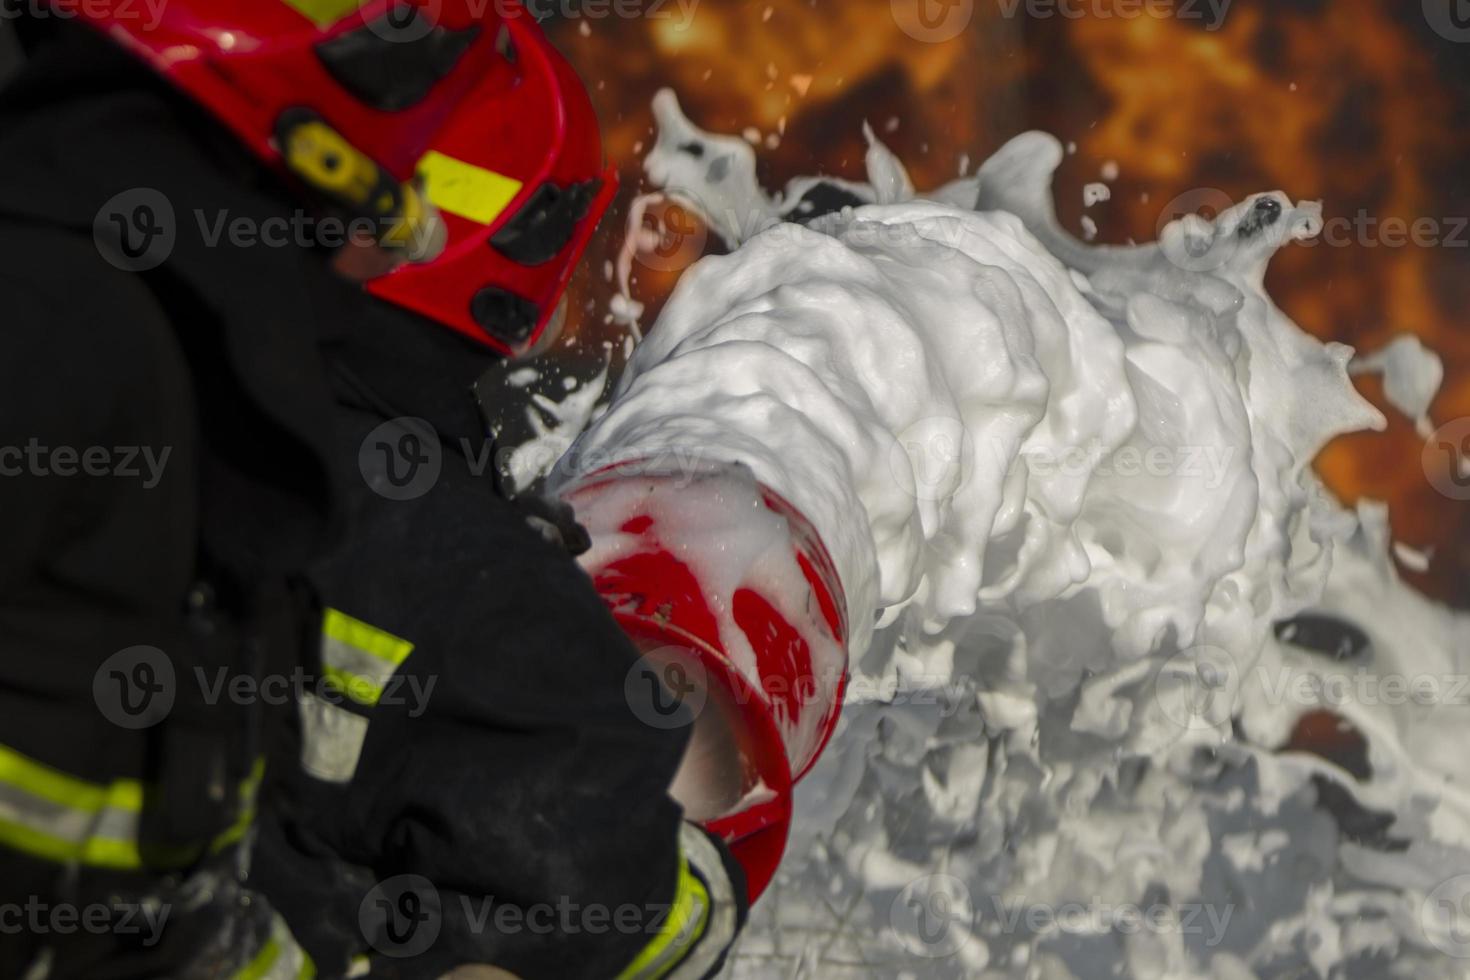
<point>1341,102</point>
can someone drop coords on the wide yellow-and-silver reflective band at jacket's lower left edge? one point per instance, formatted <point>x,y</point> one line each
<point>60,818</point>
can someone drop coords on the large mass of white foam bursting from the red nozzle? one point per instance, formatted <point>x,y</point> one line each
<point>1075,483</point>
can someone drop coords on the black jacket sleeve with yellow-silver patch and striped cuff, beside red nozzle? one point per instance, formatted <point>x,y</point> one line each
<point>492,787</point>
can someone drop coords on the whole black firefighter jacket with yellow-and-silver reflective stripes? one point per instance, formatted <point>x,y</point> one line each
<point>518,785</point>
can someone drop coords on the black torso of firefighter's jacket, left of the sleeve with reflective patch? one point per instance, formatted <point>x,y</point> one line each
<point>164,481</point>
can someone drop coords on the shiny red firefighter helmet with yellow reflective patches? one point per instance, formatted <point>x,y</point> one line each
<point>451,124</point>
